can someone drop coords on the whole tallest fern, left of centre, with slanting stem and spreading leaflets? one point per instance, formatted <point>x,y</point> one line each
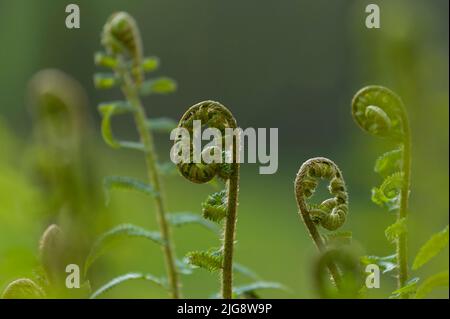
<point>124,56</point>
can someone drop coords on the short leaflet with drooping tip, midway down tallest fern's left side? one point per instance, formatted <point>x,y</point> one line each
<point>126,183</point>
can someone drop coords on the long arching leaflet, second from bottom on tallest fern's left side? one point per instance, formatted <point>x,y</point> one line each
<point>117,233</point>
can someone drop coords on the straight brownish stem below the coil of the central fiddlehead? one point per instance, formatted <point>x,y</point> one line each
<point>229,236</point>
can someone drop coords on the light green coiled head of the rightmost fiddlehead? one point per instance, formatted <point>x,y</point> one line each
<point>379,111</point>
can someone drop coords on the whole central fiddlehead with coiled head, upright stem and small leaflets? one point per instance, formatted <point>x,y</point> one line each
<point>221,205</point>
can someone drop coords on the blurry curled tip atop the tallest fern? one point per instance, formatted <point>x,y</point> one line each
<point>121,36</point>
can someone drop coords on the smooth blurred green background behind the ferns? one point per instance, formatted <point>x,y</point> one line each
<point>294,65</point>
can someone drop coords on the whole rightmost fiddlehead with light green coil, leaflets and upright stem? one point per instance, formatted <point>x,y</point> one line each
<point>380,112</point>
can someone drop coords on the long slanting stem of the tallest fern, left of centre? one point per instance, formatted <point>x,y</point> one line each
<point>131,92</point>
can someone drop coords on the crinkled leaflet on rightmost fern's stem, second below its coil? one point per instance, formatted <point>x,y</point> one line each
<point>388,194</point>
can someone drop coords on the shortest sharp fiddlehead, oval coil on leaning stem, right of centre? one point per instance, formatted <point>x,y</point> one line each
<point>331,213</point>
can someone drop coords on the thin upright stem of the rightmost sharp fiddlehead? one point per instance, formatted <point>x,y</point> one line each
<point>402,257</point>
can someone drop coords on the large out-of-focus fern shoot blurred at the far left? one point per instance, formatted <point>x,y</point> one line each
<point>60,155</point>
